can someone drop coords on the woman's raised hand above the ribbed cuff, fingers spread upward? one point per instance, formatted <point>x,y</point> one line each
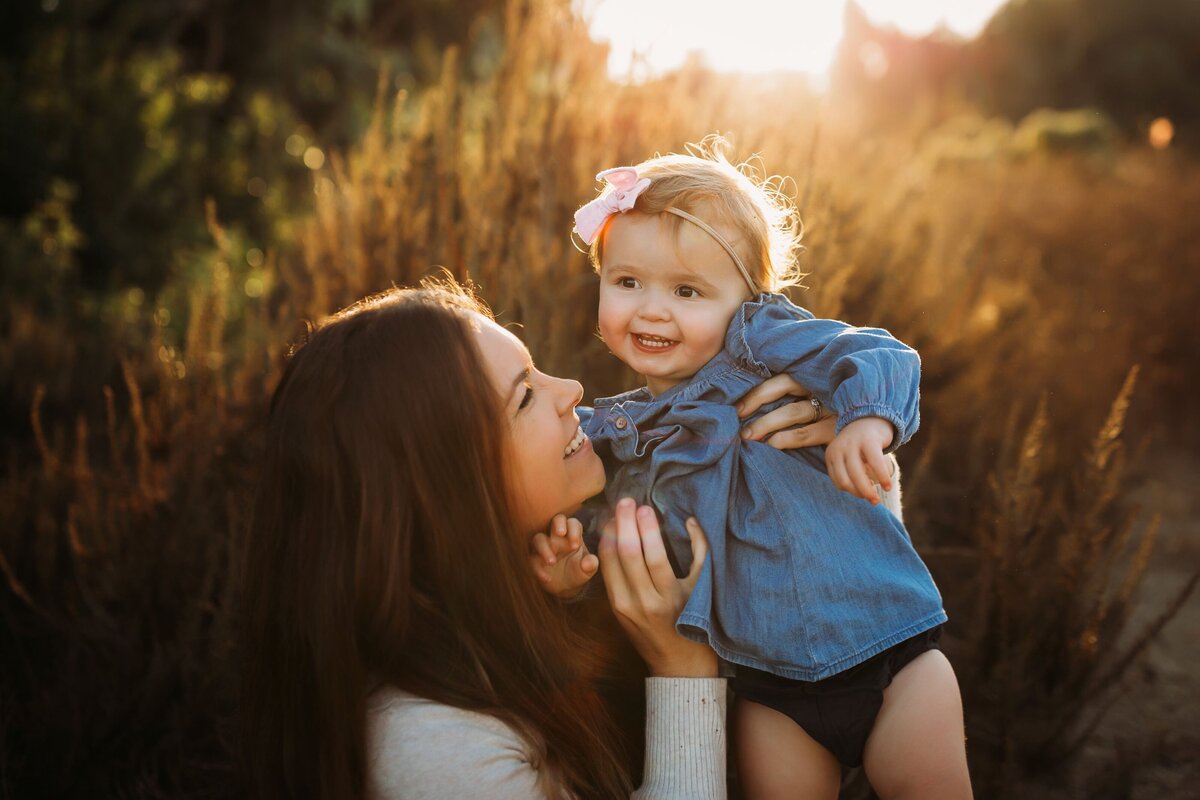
<point>646,596</point>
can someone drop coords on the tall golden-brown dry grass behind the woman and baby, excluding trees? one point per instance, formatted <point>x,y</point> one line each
<point>1033,288</point>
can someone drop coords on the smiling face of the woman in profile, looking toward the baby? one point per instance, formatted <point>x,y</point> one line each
<point>553,468</point>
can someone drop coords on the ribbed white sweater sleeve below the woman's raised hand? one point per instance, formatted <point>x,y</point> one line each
<point>686,739</point>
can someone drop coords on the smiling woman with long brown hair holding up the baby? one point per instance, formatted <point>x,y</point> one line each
<point>397,640</point>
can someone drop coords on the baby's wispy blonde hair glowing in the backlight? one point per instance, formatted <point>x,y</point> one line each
<point>706,185</point>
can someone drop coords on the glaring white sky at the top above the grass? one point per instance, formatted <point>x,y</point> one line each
<point>759,35</point>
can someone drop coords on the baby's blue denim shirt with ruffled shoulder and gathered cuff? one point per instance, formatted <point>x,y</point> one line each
<point>803,580</point>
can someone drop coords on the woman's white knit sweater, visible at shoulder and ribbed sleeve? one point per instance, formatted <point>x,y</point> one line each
<point>421,750</point>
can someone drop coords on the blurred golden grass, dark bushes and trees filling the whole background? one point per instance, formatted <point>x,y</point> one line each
<point>184,185</point>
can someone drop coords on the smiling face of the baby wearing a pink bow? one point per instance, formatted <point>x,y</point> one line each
<point>667,299</point>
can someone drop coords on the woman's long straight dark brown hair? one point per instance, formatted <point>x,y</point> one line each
<point>383,552</point>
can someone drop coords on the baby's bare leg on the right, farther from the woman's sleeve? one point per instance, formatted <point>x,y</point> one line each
<point>917,748</point>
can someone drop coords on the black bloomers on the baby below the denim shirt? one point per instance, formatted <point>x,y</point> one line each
<point>841,711</point>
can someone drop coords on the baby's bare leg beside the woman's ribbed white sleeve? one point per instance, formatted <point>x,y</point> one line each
<point>778,760</point>
